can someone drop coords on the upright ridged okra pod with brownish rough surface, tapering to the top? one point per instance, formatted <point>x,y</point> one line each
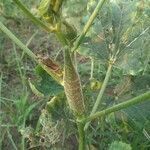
<point>72,85</point>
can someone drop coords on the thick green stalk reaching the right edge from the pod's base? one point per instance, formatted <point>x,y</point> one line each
<point>131,102</point>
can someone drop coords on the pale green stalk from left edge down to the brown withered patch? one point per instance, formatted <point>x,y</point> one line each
<point>17,41</point>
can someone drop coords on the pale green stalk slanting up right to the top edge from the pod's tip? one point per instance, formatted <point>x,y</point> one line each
<point>88,24</point>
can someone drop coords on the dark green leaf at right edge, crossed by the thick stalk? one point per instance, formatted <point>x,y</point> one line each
<point>137,116</point>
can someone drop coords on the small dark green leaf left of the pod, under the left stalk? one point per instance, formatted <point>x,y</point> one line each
<point>46,85</point>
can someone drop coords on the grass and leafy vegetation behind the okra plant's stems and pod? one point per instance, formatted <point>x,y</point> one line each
<point>24,121</point>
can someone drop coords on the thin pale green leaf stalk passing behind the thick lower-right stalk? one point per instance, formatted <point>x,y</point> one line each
<point>100,95</point>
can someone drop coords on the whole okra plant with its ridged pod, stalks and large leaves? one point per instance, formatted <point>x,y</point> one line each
<point>114,33</point>
